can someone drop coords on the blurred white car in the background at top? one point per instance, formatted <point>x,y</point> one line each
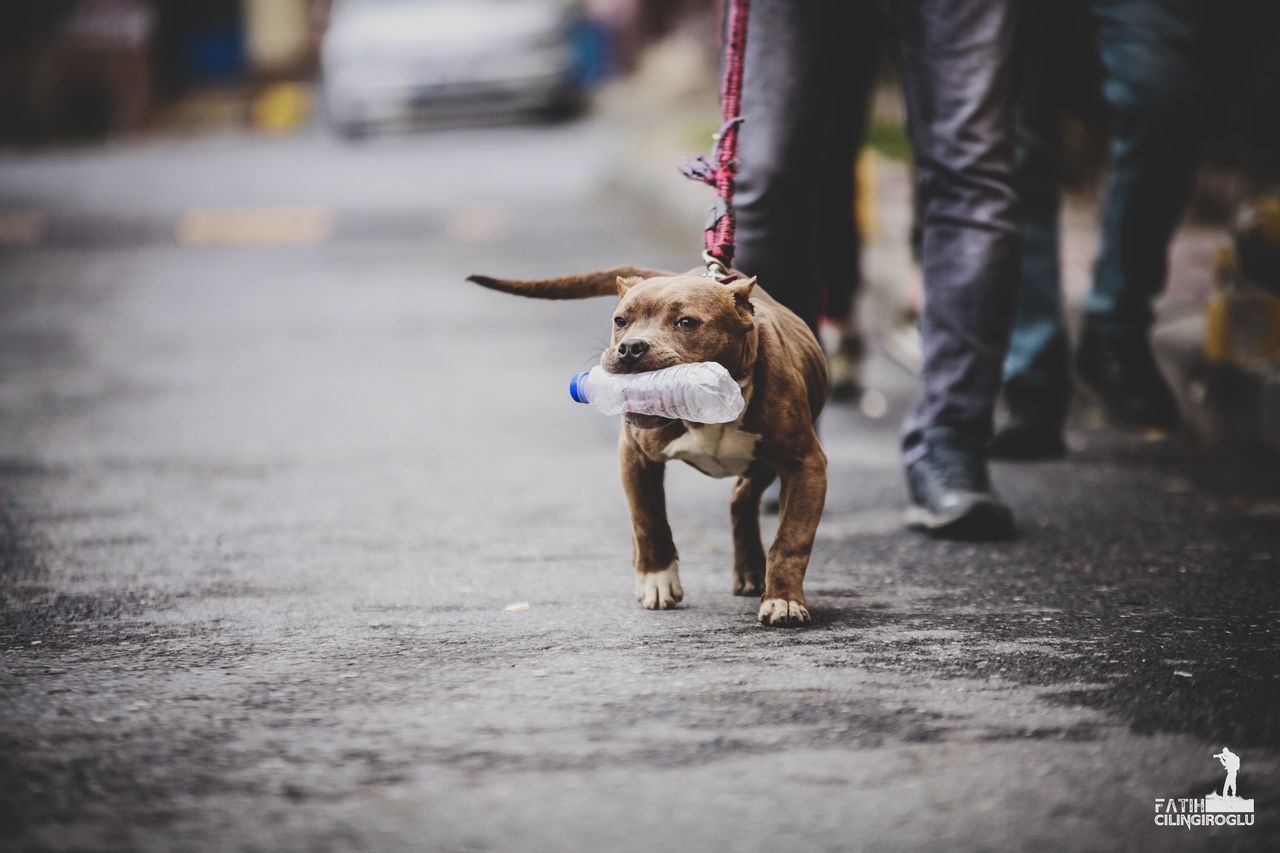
<point>390,61</point>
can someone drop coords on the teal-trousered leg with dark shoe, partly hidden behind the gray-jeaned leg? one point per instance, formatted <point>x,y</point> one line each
<point>1037,378</point>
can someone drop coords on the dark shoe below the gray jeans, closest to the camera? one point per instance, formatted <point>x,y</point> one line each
<point>952,494</point>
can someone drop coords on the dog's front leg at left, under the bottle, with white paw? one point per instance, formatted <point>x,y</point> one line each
<point>655,556</point>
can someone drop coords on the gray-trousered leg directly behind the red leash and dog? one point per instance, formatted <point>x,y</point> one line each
<point>790,94</point>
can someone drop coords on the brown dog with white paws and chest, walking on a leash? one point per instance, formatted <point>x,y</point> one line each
<point>666,320</point>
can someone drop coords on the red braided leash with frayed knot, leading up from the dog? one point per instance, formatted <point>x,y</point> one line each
<point>719,239</point>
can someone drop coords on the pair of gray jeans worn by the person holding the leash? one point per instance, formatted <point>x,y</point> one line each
<point>804,104</point>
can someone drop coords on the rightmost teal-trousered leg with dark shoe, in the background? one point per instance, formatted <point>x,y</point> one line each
<point>1156,94</point>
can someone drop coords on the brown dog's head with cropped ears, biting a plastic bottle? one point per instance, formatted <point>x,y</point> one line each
<point>679,320</point>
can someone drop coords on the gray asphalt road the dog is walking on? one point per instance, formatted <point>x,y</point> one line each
<point>263,509</point>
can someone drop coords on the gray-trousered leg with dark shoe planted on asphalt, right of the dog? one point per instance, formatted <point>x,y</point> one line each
<point>958,66</point>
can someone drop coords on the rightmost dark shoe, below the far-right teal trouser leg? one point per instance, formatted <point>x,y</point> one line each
<point>1122,371</point>
